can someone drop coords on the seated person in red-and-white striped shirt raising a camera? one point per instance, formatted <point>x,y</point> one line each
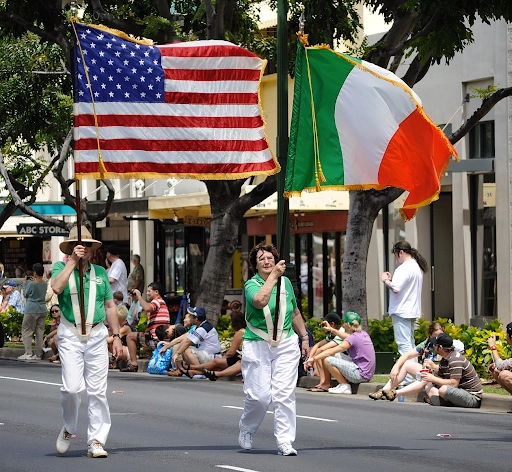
<point>158,314</point>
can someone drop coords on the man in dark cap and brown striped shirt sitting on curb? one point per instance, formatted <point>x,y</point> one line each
<point>455,381</point>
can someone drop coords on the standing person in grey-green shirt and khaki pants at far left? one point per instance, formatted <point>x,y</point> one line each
<point>34,290</point>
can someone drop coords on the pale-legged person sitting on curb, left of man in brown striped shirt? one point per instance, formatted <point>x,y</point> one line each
<point>407,364</point>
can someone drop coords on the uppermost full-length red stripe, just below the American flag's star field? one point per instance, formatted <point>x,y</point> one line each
<point>156,121</point>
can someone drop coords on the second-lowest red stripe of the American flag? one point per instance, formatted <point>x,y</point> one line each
<point>158,145</point>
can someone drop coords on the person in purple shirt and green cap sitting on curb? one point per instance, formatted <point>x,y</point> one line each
<point>356,367</point>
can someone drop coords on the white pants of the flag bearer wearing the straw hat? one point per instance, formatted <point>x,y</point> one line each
<point>85,367</point>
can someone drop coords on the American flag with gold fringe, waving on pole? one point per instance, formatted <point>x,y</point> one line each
<point>189,109</point>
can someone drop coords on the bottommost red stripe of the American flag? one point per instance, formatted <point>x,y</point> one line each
<point>170,168</point>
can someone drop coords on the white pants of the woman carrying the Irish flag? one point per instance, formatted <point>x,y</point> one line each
<point>270,376</point>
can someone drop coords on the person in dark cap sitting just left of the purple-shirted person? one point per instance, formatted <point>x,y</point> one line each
<point>331,324</point>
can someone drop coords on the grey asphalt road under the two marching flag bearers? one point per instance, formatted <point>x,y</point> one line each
<point>177,424</point>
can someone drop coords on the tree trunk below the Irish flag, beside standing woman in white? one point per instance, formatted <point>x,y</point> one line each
<point>364,208</point>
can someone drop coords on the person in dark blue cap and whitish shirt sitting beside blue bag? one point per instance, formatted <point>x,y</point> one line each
<point>205,337</point>
